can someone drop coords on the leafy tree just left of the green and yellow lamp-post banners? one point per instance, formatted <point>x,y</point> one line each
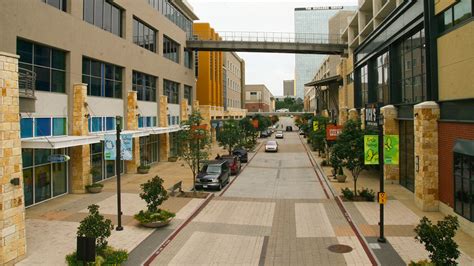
<point>349,148</point>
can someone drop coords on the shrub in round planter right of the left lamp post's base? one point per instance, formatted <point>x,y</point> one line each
<point>154,194</point>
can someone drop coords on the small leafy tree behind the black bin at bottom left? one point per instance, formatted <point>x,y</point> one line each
<point>96,226</point>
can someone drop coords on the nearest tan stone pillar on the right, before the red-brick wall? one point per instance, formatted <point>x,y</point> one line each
<point>426,150</point>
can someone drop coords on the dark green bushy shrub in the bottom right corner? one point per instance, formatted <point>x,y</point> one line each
<point>438,239</point>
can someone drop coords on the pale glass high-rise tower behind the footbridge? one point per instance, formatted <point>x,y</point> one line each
<point>311,22</point>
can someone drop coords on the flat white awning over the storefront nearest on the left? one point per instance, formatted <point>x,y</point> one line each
<point>58,142</point>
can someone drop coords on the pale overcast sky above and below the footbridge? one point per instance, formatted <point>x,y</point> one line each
<point>263,16</point>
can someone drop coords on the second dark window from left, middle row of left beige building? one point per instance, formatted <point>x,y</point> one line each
<point>103,79</point>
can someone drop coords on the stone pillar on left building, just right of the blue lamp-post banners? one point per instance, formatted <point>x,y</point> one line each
<point>132,124</point>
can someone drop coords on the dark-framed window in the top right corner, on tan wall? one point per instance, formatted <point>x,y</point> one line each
<point>454,15</point>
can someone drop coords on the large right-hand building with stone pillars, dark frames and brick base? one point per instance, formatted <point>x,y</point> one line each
<point>413,58</point>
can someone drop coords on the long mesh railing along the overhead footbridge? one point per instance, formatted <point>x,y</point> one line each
<point>279,37</point>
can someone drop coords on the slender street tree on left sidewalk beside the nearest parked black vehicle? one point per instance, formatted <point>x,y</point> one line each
<point>194,142</point>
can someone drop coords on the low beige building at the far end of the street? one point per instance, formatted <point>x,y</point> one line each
<point>258,98</point>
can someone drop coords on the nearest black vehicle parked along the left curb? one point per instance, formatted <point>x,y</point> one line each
<point>213,174</point>
